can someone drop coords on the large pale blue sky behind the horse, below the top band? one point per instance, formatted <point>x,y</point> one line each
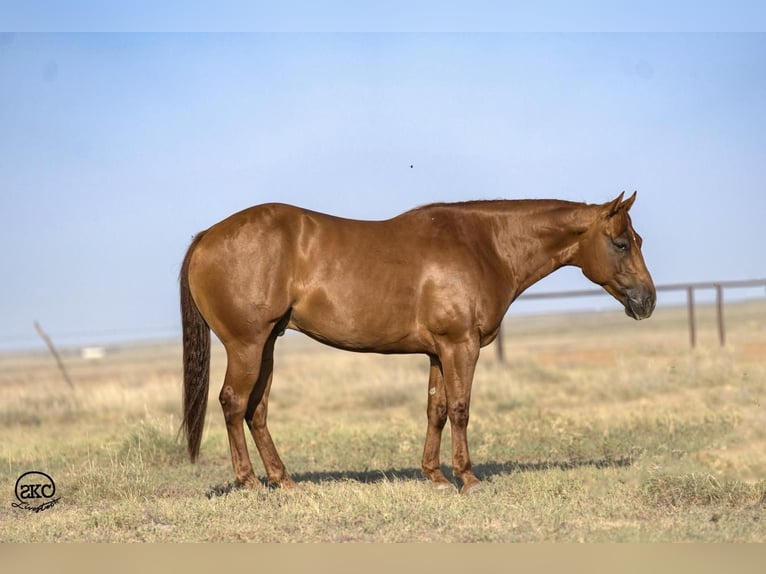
<point>116,148</point>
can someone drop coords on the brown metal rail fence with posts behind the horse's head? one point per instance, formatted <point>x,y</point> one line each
<point>689,288</point>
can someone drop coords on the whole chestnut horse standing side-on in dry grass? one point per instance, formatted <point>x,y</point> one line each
<point>435,280</point>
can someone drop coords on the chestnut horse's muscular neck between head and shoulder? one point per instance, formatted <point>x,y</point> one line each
<point>540,237</point>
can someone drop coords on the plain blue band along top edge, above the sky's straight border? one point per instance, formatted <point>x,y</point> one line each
<point>389,16</point>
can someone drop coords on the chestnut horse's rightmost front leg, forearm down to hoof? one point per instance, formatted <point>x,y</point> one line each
<point>458,362</point>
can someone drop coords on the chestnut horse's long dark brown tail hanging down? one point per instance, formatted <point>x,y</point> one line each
<point>196,359</point>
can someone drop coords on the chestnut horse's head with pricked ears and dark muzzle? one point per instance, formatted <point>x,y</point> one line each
<point>610,255</point>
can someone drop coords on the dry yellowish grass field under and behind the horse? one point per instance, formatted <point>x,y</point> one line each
<point>596,428</point>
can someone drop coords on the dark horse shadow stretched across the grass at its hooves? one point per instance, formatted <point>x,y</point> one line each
<point>484,471</point>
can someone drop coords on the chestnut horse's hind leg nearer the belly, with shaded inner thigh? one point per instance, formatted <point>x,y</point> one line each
<point>256,414</point>
